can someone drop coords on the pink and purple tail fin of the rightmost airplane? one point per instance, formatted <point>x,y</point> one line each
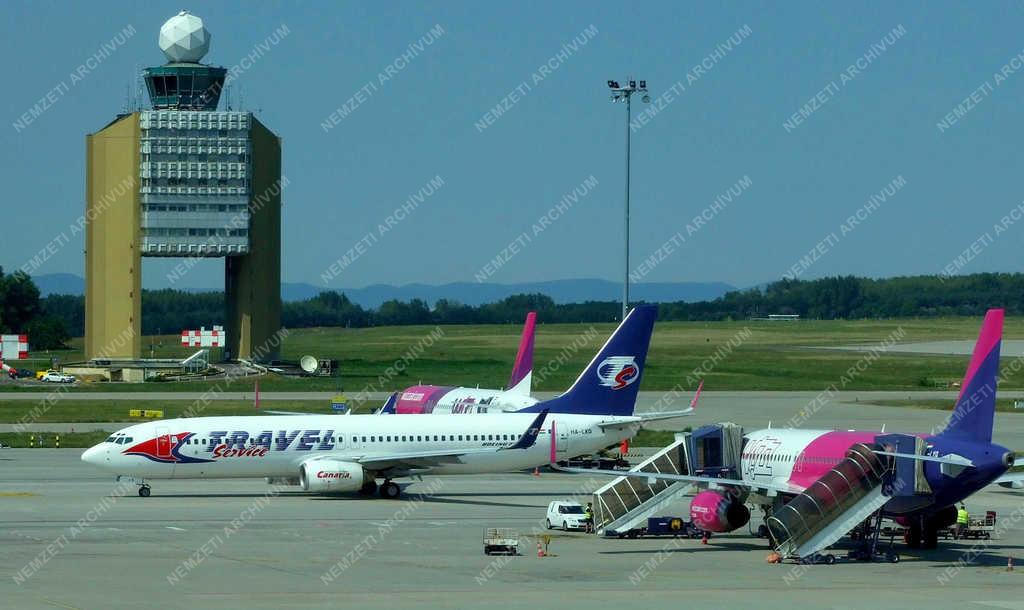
<point>974,415</point>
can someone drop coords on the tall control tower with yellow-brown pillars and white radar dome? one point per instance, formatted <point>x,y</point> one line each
<point>185,181</point>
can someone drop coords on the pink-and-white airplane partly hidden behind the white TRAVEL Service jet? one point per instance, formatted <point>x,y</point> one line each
<point>448,401</point>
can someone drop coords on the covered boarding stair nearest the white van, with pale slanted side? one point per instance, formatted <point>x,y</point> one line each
<point>623,506</point>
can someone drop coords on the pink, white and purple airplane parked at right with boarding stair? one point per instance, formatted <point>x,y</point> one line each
<point>816,486</point>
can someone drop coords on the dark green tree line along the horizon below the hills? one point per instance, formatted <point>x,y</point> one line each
<point>170,312</point>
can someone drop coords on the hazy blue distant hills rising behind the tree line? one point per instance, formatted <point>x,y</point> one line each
<point>470,293</point>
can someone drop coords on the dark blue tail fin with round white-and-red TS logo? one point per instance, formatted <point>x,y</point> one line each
<point>609,386</point>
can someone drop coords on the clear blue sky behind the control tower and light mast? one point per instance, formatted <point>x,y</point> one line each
<point>879,123</point>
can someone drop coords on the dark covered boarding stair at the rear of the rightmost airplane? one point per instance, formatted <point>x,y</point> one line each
<point>851,497</point>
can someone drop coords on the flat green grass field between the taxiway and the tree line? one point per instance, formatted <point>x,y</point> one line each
<point>764,356</point>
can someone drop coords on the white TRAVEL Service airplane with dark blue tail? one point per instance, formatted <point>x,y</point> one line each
<point>330,454</point>
